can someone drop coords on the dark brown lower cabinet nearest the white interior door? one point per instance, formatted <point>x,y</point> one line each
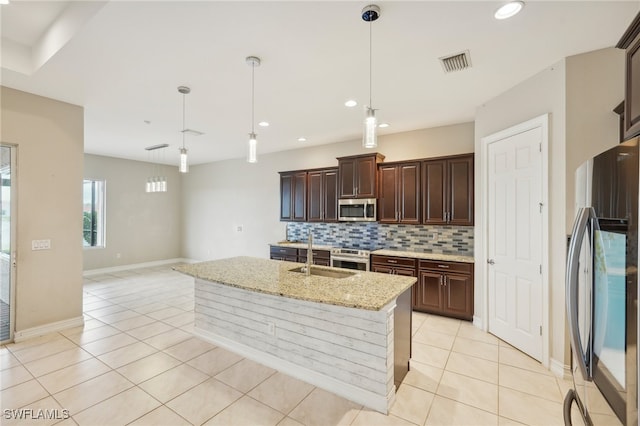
<point>445,288</point>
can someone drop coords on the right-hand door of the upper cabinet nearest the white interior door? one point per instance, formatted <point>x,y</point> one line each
<point>460,191</point>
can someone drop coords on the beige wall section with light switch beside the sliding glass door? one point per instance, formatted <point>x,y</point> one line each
<point>49,139</point>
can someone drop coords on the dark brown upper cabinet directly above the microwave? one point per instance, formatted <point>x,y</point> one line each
<point>357,175</point>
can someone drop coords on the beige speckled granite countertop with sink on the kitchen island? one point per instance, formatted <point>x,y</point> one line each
<point>363,290</point>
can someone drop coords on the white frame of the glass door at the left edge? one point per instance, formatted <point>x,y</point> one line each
<point>14,239</point>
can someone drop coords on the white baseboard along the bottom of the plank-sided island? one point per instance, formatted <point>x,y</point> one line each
<point>346,390</point>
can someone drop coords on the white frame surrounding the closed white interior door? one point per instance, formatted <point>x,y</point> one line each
<point>541,122</point>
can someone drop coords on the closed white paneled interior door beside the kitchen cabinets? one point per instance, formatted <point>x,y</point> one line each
<point>514,240</point>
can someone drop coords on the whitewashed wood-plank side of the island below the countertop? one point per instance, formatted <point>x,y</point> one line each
<point>347,351</point>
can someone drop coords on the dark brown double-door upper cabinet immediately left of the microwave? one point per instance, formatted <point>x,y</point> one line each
<point>322,195</point>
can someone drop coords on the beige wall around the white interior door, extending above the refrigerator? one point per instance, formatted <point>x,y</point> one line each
<point>579,93</point>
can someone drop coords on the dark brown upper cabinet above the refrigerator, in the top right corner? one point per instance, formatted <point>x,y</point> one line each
<point>630,41</point>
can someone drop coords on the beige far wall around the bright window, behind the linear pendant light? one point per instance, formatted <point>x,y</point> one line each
<point>140,226</point>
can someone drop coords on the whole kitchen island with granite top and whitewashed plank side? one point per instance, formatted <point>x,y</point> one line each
<point>348,333</point>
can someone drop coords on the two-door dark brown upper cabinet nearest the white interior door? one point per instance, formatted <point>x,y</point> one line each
<point>447,191</point>
